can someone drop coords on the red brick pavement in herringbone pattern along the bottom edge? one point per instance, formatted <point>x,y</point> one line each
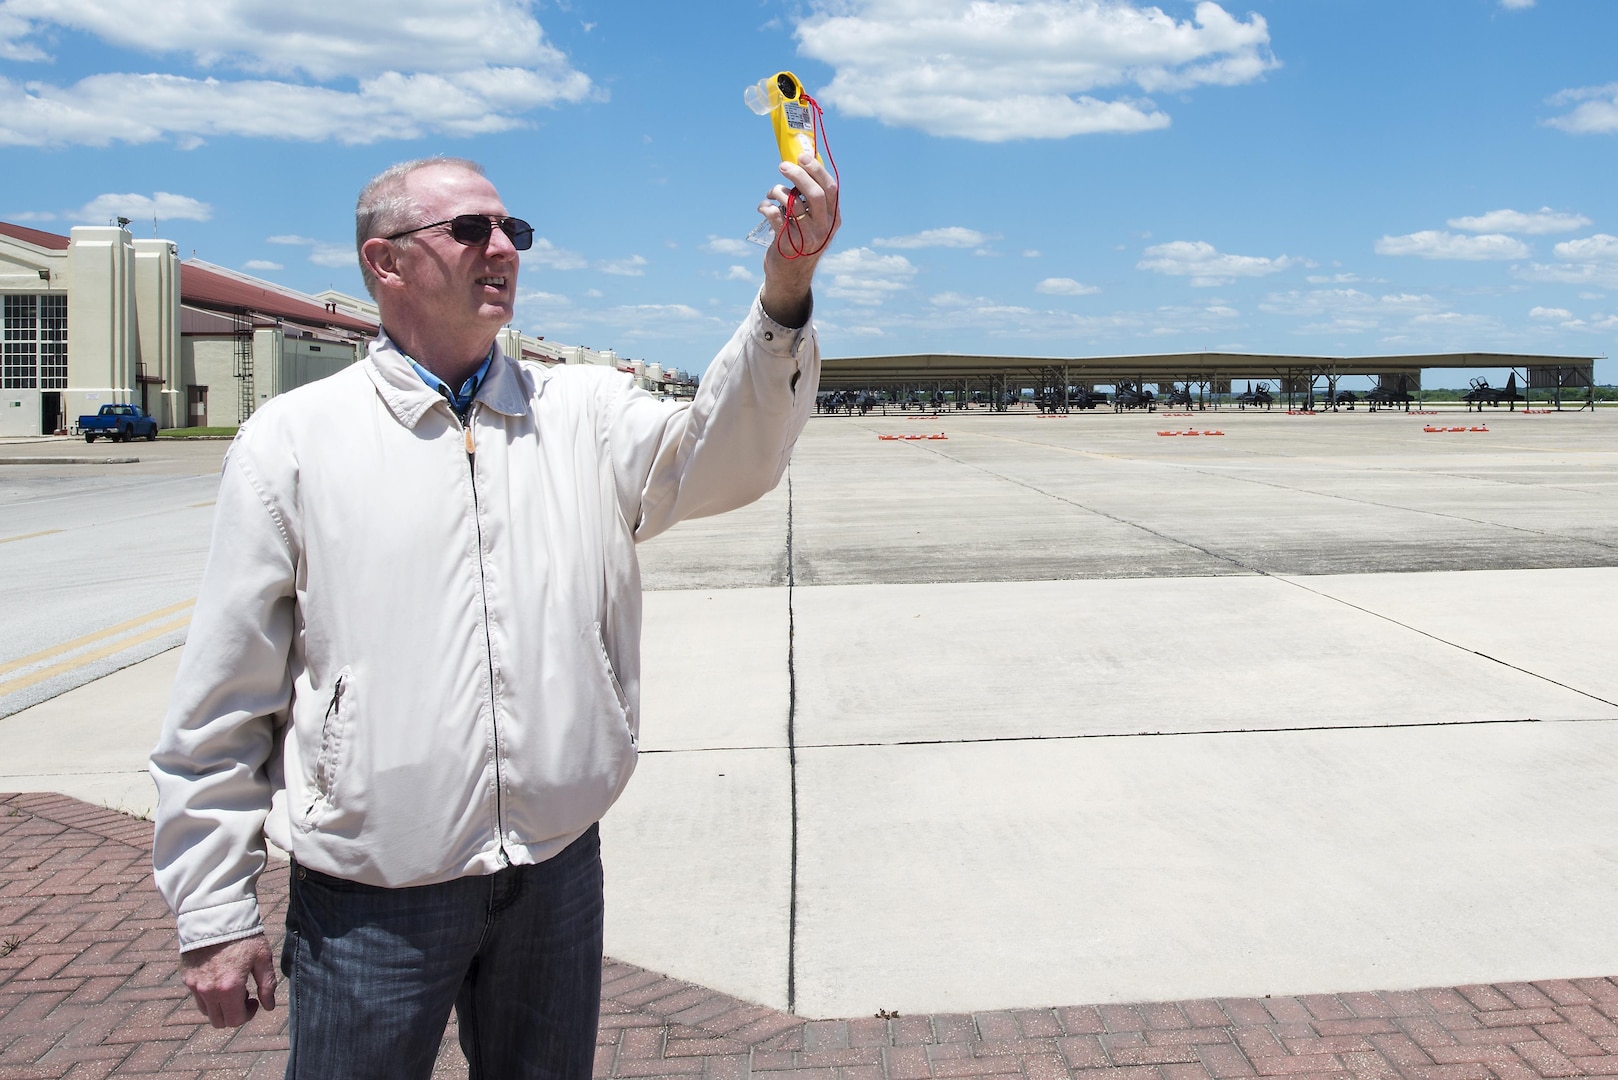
<point>88,990</point>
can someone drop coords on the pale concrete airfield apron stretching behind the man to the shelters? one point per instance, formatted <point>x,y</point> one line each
<point>1069,712</point>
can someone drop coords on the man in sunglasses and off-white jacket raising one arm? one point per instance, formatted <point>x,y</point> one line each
<point>415,658</point>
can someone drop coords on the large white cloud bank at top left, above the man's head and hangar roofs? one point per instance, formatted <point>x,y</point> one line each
<point>391,70</point>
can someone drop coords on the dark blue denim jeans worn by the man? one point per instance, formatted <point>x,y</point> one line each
<point>375,972</point>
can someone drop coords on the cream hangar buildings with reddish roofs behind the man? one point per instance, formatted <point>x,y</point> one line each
<point>101,317</point>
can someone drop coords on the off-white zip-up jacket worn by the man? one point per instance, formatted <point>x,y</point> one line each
<point>417,652</point>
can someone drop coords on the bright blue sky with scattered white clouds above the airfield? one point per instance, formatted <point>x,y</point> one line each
<point>1031,177</point>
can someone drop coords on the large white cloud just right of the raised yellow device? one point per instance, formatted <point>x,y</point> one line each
<point>996,70</point>
